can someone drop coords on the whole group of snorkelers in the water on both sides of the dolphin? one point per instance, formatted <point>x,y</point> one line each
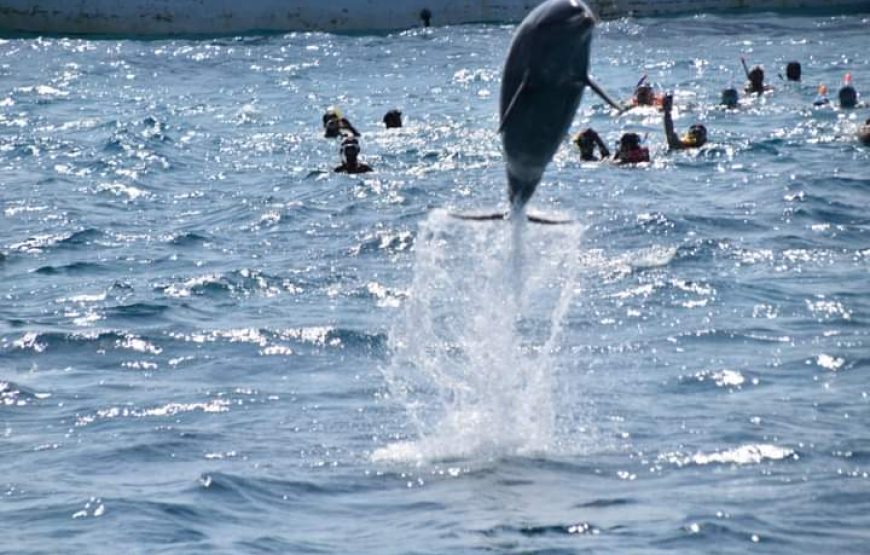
<point>630,149</point>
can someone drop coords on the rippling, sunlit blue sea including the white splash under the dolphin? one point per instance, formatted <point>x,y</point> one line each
<point>210,343</point>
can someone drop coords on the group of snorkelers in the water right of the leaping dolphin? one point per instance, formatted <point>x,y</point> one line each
<point>630,149</point>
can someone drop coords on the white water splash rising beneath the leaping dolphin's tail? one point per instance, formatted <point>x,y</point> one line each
<point>474,351</point>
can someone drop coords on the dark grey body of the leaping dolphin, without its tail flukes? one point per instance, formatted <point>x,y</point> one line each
<point>545,73</point>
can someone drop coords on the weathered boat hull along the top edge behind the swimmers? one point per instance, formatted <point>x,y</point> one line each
<point>154,18</point>
